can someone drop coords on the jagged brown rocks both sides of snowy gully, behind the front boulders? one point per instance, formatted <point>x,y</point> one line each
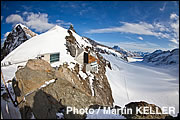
<point>100,85</point>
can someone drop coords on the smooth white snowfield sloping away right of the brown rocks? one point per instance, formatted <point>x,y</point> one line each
<point>132,82</point>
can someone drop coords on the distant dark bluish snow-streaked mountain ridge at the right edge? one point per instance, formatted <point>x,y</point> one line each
<point>160,57</point>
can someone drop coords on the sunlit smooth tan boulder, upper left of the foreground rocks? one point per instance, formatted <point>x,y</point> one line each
<point>33,75</point>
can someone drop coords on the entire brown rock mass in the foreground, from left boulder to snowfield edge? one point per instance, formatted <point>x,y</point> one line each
<point>69,89</point>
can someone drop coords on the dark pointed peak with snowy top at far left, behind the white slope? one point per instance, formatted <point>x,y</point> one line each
<point>17,36</point>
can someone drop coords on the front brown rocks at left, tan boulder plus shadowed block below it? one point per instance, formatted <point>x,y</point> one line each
<point>46,101</point>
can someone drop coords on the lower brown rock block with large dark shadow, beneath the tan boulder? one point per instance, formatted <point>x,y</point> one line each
<point>48,101</point>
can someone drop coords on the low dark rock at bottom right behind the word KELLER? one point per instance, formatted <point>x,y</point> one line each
<point>142,104</point>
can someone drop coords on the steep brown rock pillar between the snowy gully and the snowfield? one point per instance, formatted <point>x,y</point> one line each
<point>101,86</point>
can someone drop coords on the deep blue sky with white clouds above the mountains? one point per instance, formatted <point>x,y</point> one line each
<point>133,25</point>
